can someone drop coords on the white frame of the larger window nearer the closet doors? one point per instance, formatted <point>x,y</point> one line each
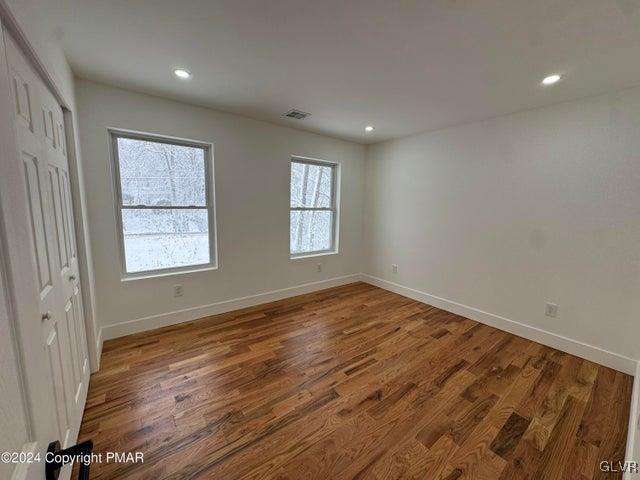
<point>114,134</point>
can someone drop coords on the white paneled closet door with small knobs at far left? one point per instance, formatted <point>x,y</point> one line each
<point>56,339</point>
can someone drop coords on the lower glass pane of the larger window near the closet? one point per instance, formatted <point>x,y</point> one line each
<point>156,239</point>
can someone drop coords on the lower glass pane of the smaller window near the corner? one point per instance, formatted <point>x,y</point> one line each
<point>310,230</point>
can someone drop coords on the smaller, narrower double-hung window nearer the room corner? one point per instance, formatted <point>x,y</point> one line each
<point>313,207</point>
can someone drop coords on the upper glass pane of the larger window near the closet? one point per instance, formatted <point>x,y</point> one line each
<point>161,174</point>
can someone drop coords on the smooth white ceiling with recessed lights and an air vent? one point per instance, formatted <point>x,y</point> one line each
<point>401,65</point>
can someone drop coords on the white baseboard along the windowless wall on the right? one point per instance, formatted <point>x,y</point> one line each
<point>574,347</point>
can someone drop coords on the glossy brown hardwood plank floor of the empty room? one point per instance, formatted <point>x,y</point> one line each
<point>351,382</point>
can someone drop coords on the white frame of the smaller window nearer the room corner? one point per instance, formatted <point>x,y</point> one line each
<point>335,178</point>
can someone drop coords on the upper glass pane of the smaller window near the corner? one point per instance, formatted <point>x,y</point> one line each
<point>311,185</point>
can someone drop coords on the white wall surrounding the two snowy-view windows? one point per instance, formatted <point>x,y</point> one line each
<point>252,205</point>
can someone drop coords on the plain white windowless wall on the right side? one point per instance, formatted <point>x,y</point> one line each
<point>506,214</point>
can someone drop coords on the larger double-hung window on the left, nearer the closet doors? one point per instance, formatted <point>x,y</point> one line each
<point>164,203</point>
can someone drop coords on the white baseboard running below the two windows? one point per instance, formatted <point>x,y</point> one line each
<point>109,332</point>
